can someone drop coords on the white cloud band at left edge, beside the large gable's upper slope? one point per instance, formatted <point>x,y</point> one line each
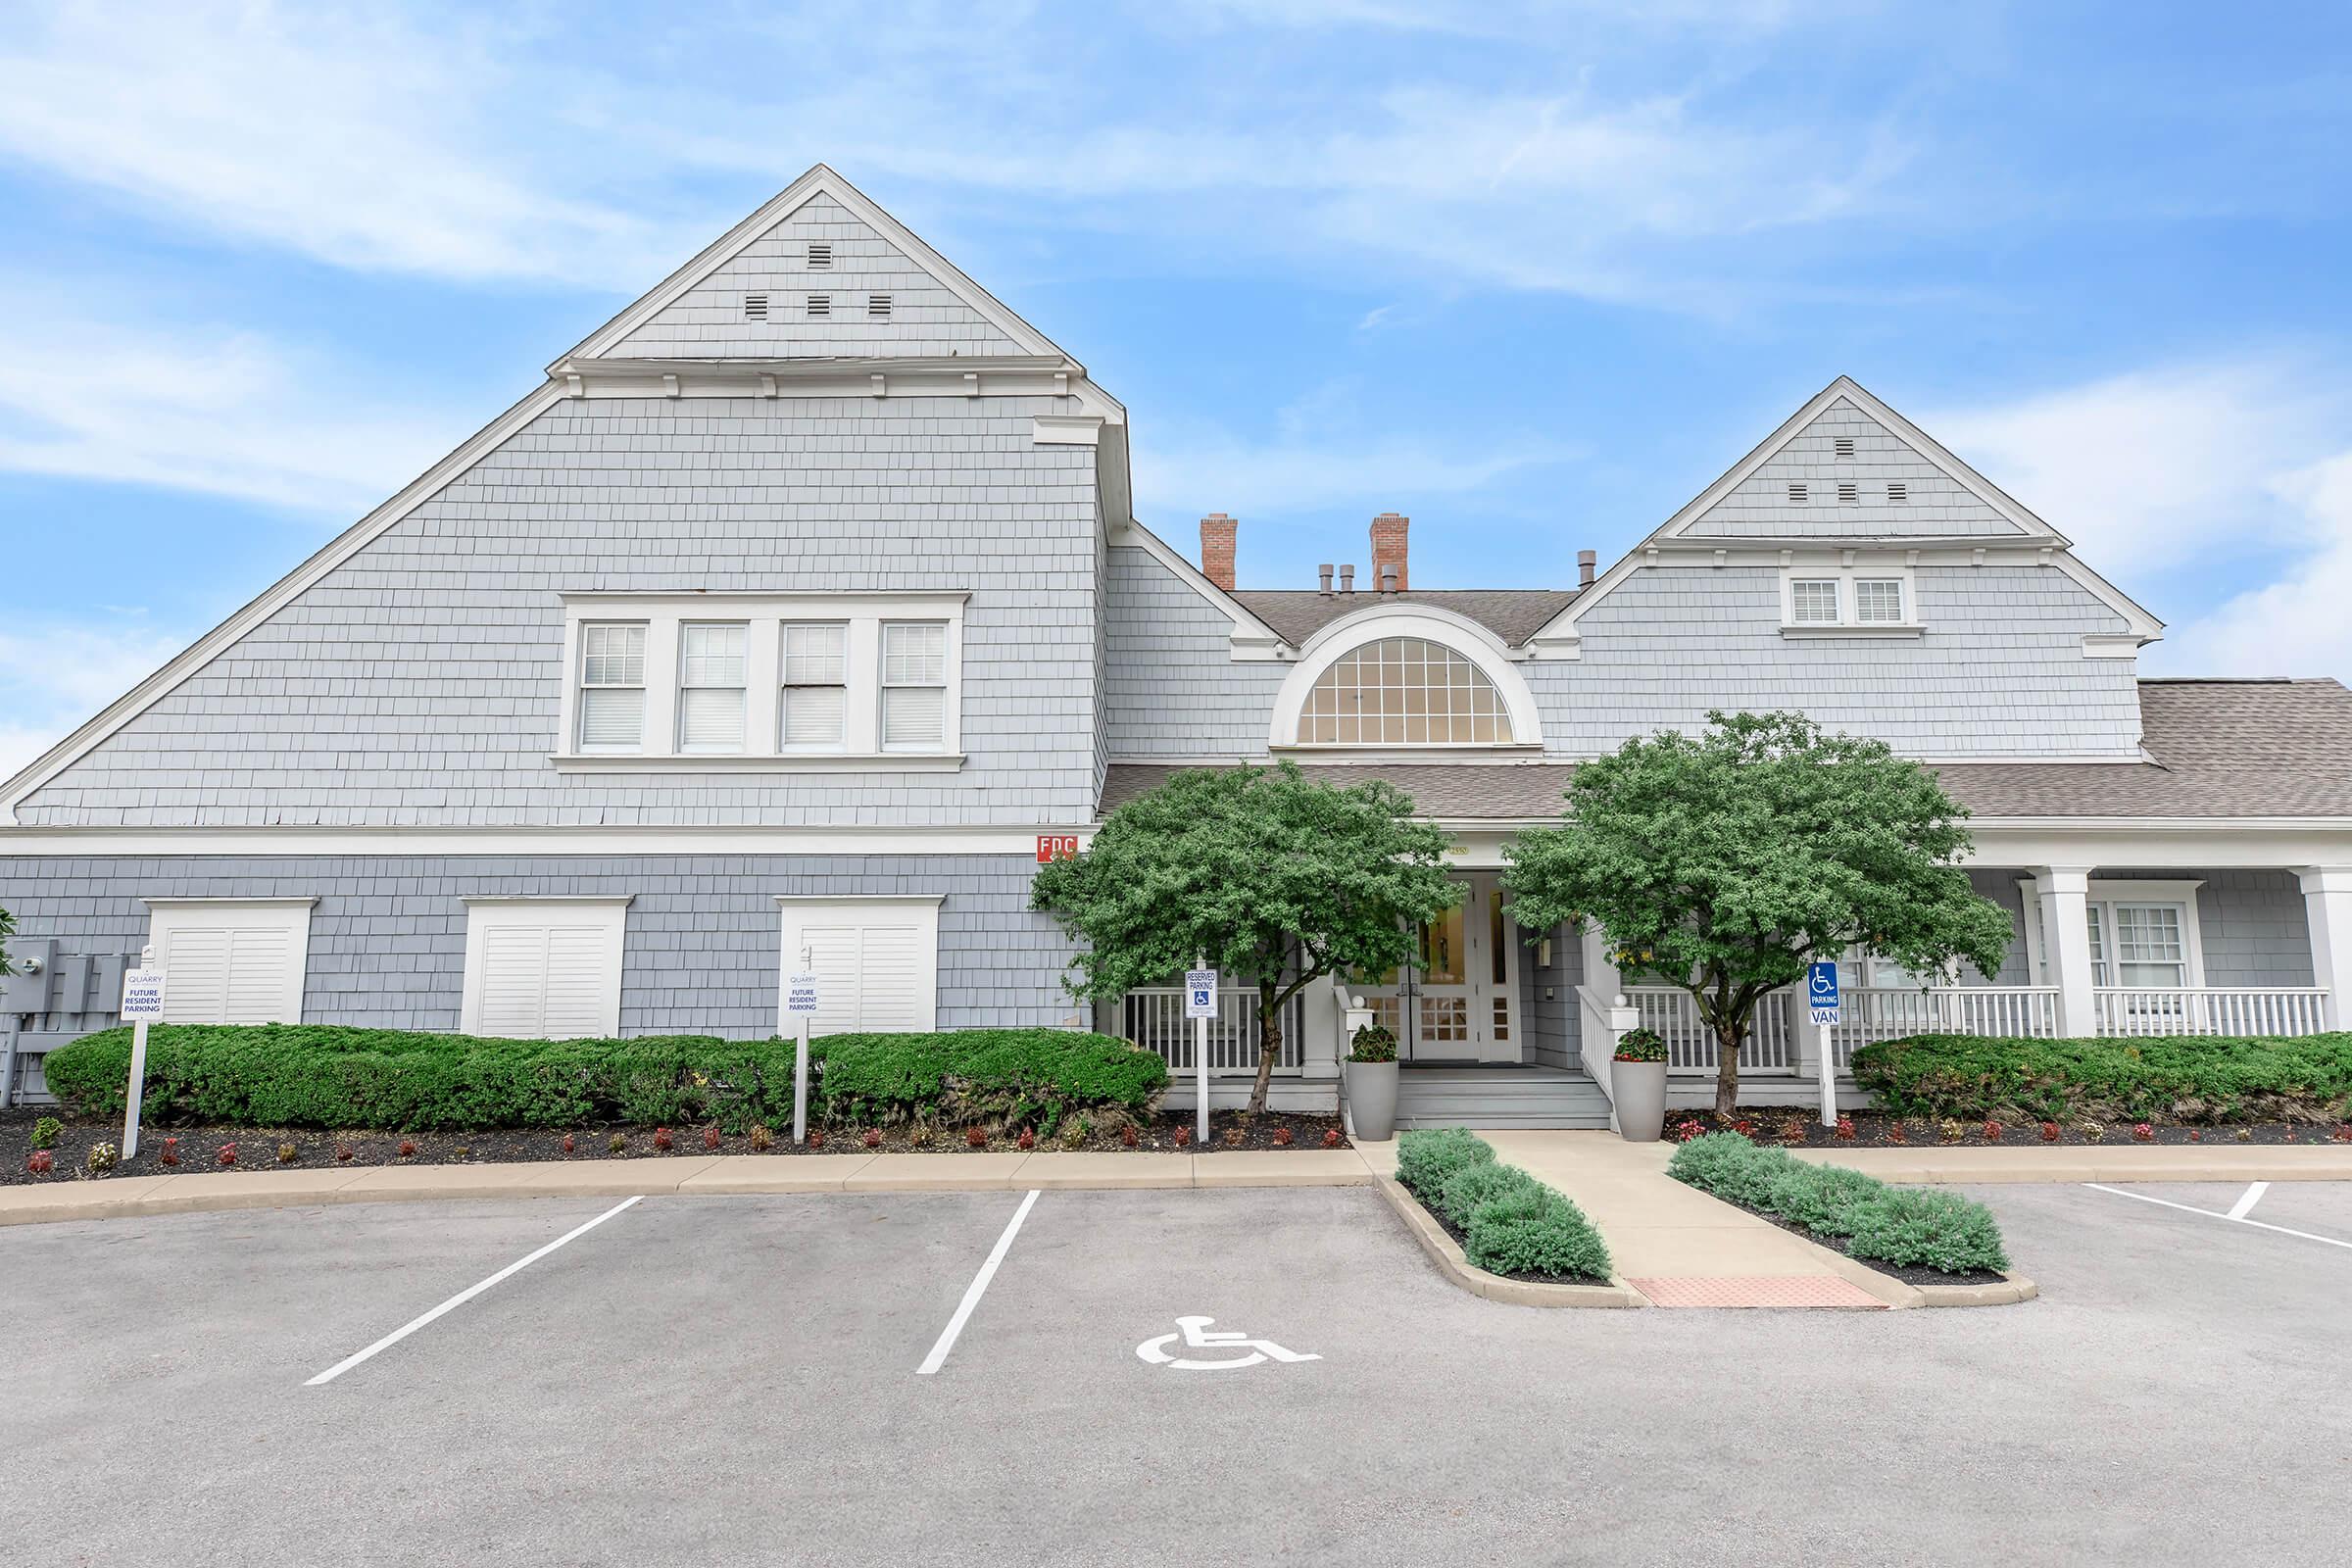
<point>215,413</point>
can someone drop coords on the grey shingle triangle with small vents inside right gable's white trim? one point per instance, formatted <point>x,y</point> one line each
<point>1760,504</point>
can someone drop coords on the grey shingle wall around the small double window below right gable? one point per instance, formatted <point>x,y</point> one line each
<point>2000,671</point>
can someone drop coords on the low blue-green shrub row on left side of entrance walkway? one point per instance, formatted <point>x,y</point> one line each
<point>1509,1221</point>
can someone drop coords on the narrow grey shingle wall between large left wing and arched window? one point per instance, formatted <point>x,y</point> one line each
<point>1172,683</point>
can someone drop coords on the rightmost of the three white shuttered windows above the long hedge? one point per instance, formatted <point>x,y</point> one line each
<point>876,960</point>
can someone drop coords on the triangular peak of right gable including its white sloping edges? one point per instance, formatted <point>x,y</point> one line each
<point>1847,467</point>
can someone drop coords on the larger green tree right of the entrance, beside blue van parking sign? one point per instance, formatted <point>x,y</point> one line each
<point>1730,862</point>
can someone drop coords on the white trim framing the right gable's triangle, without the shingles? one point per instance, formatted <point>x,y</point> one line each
<point>1561,636</point>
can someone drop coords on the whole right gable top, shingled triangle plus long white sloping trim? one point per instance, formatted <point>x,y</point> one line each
<point>1944,500</point>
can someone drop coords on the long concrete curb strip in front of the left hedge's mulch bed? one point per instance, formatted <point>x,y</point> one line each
<point>679,1177</point>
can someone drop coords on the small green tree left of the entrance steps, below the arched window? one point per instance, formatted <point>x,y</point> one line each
<point>1276,878</point>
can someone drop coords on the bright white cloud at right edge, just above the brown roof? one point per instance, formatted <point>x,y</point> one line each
<point>2304,622</point>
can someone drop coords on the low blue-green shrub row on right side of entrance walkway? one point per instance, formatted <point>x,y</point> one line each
<point>1876,1224</point>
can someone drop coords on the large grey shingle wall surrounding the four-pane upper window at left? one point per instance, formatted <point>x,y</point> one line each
<point>420,683</point>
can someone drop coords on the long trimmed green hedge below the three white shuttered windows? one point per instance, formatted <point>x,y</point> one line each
<point>399,1080</point>
